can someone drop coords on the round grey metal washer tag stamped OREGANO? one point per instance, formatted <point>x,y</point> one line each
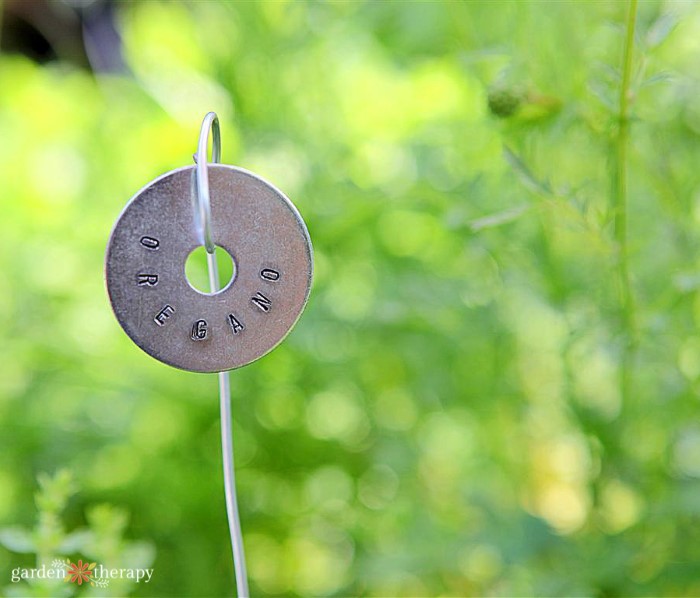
<point>170,320</point>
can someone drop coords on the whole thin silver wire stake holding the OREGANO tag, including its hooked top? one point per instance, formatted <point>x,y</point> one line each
<point>203,214</point>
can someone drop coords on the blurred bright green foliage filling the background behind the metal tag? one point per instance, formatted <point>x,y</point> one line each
<point>449,416</point>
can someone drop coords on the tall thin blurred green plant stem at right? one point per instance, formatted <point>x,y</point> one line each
<point>619,204</point>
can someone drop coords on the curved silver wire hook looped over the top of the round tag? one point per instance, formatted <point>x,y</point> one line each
<point>201,195</point>
